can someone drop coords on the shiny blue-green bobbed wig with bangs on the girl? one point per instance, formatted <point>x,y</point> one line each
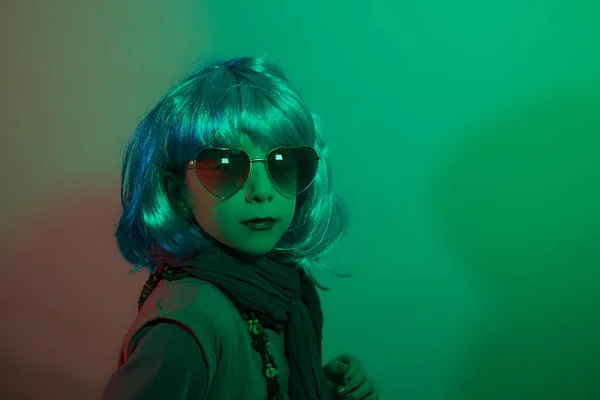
<point>209,108</point>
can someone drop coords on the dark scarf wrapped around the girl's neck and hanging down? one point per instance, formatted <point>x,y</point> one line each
<point>280,295</point>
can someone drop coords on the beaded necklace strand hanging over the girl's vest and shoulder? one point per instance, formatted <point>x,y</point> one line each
<point>260,341</point>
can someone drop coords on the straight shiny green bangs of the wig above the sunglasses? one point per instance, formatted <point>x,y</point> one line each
<point>225,105</point>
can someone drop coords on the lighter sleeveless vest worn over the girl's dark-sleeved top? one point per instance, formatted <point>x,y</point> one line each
<point>234,367</point>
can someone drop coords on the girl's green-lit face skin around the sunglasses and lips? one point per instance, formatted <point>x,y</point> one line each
<point>222,219</point>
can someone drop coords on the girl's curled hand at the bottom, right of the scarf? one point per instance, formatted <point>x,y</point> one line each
<point>349,379</point>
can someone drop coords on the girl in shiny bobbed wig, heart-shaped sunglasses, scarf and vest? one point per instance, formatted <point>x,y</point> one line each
<point>227,200</point>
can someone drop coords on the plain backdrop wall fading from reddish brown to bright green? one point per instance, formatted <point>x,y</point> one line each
<point>464,135</point>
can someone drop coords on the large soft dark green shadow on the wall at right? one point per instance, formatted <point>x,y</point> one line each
<point>519,202</point>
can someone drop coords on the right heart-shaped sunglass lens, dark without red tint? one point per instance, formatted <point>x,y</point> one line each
<point>293,169</point>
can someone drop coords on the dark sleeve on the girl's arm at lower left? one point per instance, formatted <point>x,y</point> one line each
<point>167,363</point>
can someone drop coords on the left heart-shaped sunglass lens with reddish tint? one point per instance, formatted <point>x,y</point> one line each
<point>222,172</point>
